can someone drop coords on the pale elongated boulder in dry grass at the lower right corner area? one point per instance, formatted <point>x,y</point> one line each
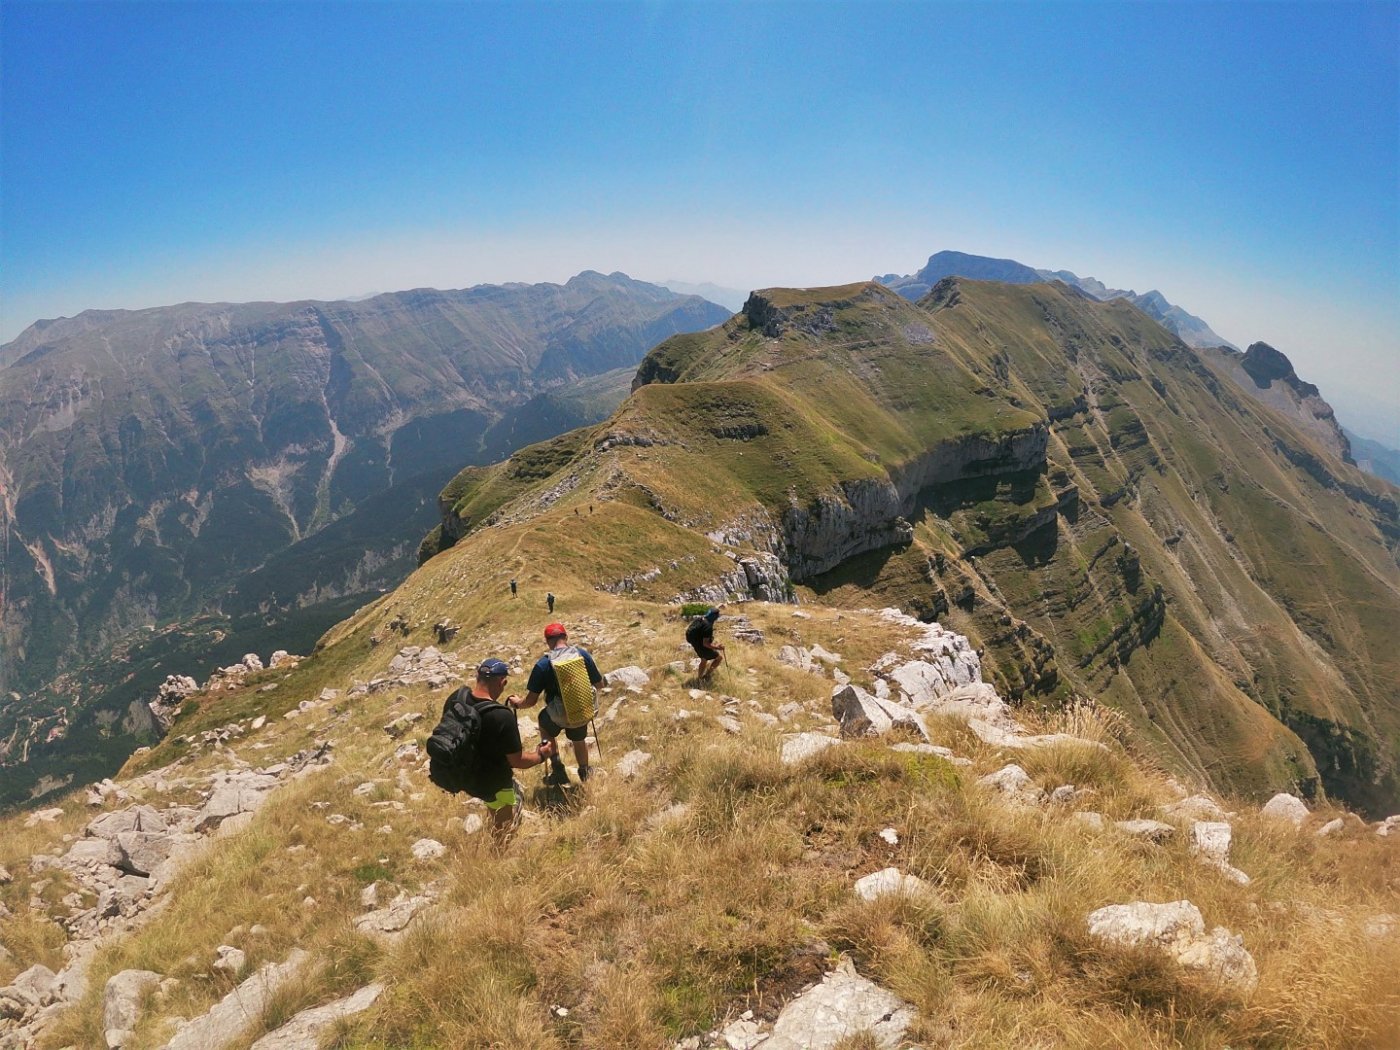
<point>1179,930</point>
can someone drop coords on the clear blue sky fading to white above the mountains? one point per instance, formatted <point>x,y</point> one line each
<point>1244,159</point>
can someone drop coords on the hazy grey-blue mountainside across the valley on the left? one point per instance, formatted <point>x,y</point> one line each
<point>260,461</point>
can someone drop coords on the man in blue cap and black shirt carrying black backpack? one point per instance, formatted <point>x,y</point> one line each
<point>485,771</point>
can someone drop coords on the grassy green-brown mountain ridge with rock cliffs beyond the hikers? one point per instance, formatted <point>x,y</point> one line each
<point>1101,509</point>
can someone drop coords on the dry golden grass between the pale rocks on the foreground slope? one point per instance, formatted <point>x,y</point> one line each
<point>647,929</point>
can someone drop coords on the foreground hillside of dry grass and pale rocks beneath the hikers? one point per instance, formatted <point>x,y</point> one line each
<point>849,838</point>
